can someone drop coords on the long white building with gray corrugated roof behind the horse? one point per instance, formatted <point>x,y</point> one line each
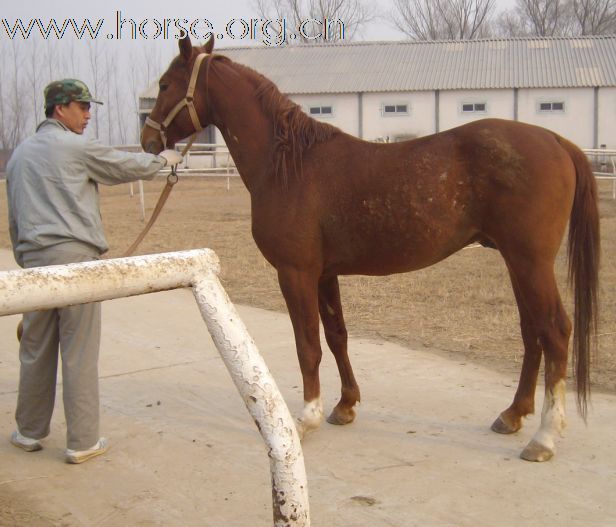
<point>396,90</point>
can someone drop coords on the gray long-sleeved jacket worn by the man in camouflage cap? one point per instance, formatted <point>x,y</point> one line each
<point>52,187</point>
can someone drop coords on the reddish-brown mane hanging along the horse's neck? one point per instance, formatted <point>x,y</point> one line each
<point>294,131</point>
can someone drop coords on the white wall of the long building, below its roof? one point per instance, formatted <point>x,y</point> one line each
<point>575,121</point>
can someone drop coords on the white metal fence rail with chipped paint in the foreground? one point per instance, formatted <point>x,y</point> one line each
<point>63,285</point>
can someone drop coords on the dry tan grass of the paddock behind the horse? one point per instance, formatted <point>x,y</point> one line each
<point>462,307</point>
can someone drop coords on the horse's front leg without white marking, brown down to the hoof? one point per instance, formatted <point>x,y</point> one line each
<point>330,309</point>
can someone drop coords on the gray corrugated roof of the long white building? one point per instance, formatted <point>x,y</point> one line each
<point>439,65</point>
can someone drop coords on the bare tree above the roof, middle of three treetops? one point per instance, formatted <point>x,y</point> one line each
<point>443,19</point>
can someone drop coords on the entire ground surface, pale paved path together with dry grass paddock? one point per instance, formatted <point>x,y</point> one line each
<point>433,378</point>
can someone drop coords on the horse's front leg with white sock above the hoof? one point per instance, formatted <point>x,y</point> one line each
<point>300,291</point>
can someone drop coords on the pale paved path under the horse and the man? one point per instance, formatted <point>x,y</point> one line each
<point>185,452</point>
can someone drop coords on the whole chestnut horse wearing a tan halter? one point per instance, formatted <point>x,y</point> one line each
<point>325,203</point>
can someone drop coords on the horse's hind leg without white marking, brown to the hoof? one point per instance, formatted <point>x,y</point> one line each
<point>510,420</point>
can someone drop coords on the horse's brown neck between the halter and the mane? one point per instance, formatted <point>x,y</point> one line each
<point>246,130</point>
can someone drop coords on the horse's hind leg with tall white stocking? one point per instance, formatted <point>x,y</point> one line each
<point>538,292</point>
